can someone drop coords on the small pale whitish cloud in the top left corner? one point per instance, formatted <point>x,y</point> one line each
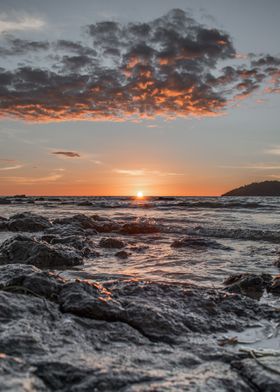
<point>20,22</point>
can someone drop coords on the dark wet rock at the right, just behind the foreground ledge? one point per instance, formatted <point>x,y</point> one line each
<point>251,285</point>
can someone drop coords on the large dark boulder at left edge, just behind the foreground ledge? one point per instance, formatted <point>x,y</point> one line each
<point>26,250</point>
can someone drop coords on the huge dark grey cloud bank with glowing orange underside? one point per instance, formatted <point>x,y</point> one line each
<point>168,67</point>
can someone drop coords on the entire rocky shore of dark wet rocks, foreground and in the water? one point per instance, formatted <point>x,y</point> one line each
<point>59,334</point>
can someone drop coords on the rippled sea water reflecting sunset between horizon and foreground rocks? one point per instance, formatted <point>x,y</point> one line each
<point>247,228</point>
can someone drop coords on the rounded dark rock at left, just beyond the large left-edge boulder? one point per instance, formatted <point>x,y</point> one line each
<point>28,222</point>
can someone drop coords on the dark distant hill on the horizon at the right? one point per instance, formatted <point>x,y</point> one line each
<point>265,188</point>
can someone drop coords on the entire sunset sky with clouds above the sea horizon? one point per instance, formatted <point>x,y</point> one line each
<point>114,97</point>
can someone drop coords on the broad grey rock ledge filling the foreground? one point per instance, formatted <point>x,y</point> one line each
<point>57,335</point>
